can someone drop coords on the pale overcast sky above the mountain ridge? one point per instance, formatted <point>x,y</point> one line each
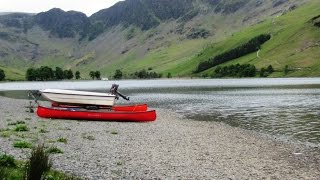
<point>35,6</point>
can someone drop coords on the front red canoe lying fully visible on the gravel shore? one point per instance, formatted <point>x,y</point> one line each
<point>77,114</point>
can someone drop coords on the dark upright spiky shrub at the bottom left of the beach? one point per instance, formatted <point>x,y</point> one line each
<point>38,164</point>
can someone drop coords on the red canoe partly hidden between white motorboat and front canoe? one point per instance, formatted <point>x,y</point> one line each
<point>136,107</point>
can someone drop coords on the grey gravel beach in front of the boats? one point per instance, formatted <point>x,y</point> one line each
<point>172,147</point>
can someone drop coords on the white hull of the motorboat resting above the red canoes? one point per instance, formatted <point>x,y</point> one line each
<point>78,97</point>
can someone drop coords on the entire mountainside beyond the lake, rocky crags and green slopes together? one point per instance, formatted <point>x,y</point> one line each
<point>162,36</point>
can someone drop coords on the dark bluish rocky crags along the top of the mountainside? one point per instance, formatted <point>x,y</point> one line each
<point>144,14</point>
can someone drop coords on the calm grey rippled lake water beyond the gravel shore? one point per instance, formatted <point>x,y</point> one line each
<point>286,108</point>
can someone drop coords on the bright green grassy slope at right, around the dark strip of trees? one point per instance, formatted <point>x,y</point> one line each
<point>295,42</point>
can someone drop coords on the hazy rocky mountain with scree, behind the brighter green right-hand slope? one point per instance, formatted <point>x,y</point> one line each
<point>131,35</point>
